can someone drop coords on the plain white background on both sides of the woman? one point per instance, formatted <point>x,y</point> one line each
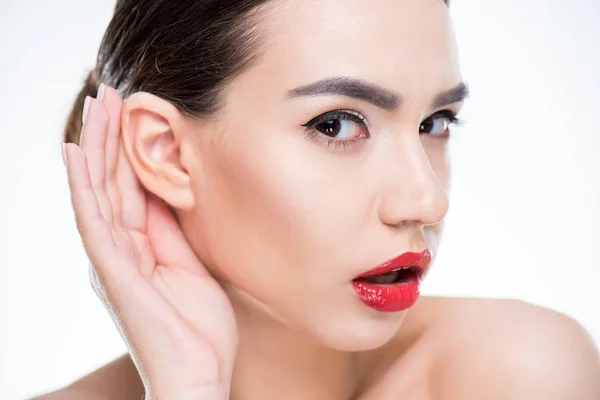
<point>525,203</point>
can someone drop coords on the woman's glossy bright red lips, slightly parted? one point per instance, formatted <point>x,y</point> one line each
<point>397,296</point>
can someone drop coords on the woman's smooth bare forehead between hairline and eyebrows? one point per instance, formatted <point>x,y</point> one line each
<point>405,45</point>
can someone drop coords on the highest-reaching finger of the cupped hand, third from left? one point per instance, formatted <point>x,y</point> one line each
<point>114,104</point>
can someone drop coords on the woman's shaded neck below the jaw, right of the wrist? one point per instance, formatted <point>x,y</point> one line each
<point>274,361</point>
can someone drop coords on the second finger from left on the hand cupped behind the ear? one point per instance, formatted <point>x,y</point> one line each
<point>93,143</point>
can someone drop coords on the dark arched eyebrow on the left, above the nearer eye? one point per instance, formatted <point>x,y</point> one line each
<point>350,87</point>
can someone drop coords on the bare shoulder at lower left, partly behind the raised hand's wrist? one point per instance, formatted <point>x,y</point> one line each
<point>117,380</point>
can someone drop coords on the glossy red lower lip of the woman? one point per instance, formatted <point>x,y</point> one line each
<point>388,298</point>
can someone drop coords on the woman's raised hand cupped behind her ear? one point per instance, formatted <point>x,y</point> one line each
<point>175,318</point>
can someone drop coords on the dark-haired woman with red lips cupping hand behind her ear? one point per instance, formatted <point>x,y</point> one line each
<point>260,209</point>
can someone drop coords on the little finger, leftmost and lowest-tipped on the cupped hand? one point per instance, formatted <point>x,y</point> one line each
<point>93,228</point>
